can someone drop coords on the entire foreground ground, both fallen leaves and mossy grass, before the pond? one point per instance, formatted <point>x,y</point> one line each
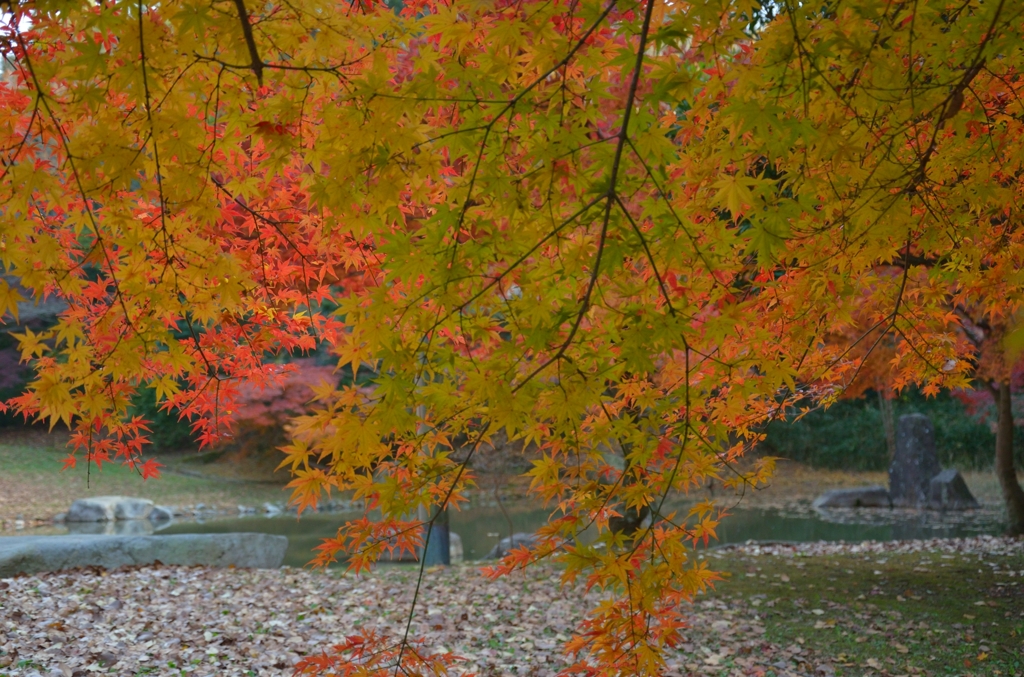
<point>940,608</point>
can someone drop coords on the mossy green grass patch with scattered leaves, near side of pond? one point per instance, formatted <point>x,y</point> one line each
<point>909,614</point>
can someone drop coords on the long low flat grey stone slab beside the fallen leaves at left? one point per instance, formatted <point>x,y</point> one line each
<point>31,555</point>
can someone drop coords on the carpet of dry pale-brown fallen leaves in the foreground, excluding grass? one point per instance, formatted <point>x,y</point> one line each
<point>206,622</point>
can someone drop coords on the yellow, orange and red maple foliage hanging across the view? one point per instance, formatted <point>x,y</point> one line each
<point>620,232</point>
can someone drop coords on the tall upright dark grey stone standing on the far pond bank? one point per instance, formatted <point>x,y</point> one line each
<point>916,462</point>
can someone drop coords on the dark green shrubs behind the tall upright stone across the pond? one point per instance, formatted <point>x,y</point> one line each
<point>849,435</point>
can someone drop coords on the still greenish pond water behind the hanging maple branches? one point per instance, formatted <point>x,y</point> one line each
<point>482,527</point>
